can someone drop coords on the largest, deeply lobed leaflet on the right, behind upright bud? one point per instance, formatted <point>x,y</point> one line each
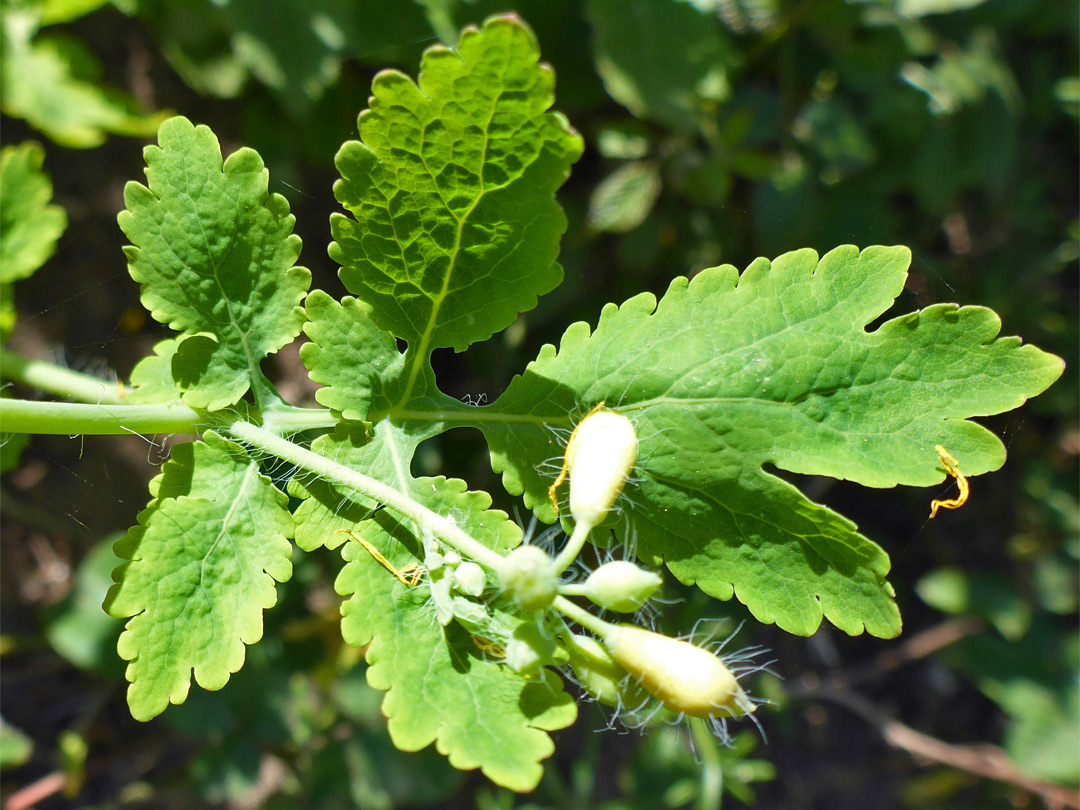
<point>731,373</point>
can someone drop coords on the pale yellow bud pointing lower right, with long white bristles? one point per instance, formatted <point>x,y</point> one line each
<point>685,678</point>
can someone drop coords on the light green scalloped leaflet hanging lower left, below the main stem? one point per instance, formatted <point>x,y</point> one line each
<point>205,558</point>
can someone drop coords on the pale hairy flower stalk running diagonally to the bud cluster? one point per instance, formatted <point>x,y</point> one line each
<point>335,474</point>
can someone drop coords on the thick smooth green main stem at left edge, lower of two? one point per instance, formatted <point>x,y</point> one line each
<point>69,418</point>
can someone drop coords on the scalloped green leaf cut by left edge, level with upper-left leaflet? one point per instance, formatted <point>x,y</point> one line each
<point>30,226</point>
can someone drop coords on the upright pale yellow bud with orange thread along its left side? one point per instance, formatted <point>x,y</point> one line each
<point>600,456</point>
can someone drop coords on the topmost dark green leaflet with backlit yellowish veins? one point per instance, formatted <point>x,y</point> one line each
<point>456,229</point>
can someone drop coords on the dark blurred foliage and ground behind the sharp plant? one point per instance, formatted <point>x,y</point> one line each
<point>717,131</point>
